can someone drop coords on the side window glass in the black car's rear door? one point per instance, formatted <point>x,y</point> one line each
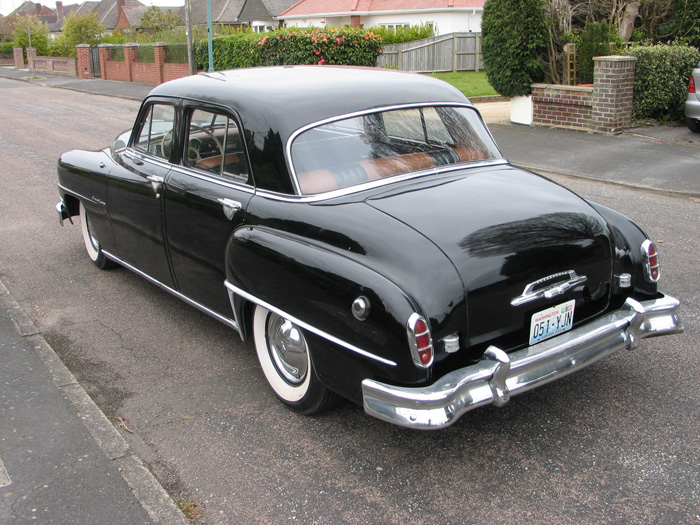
<point>215,145</point>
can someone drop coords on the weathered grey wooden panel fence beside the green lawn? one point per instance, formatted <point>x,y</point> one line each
<point>451,52</point>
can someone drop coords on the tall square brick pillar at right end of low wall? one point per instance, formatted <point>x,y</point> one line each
<point>613,91</point>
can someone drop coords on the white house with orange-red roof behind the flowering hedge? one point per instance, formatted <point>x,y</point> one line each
<point>447,16</point>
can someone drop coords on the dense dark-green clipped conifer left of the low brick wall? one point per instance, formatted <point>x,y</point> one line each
<point>515,38</point>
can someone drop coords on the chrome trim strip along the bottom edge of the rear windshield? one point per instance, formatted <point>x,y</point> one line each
<point>350,190</point>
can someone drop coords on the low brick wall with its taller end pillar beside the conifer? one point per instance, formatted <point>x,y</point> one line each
<point>606,107</point>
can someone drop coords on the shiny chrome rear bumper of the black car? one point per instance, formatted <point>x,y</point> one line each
<point>498,376</point>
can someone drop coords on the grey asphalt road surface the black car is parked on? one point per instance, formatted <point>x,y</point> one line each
<point>616,443</point>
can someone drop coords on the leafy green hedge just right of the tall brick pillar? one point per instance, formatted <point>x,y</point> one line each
<point>661,80</point>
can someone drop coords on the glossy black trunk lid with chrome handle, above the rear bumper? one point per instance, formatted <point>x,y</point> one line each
<point>510,235</point>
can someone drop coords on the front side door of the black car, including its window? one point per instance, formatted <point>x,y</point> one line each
<point>136,188</point>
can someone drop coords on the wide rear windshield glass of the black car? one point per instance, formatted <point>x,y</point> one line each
<point>375,146</point>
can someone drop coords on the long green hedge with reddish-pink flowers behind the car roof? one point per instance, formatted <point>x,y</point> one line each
<point>289,46</point>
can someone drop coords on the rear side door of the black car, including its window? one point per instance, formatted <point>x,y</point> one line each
<point>205,201</point>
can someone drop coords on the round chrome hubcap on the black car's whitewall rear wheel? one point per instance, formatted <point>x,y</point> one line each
<point>287,348</point>
